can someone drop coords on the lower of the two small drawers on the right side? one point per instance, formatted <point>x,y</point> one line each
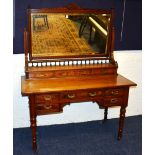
<point>112,101</point>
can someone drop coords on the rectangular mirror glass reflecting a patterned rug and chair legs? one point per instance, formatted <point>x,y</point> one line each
<point>69,34</point>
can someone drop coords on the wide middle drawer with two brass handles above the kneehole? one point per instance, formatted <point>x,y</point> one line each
<point>81,95</point>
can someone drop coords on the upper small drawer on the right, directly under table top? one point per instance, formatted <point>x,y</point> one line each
<point>114,92</point>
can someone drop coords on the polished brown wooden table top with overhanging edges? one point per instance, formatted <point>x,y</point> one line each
<point>34,86</point>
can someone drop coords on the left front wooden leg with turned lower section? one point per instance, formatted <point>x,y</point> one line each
<point>33,121</point>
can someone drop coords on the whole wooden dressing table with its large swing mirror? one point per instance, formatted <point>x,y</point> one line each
<point>62,66</point>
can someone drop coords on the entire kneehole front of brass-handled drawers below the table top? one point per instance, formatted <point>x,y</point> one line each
<point>52,102</point>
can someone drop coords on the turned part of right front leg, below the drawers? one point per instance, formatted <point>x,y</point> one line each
<point>121,121</point>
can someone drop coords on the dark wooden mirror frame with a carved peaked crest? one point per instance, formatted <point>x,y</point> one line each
<point>70,9</point>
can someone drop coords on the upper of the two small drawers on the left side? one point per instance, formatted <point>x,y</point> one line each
<point>47,98</point>
